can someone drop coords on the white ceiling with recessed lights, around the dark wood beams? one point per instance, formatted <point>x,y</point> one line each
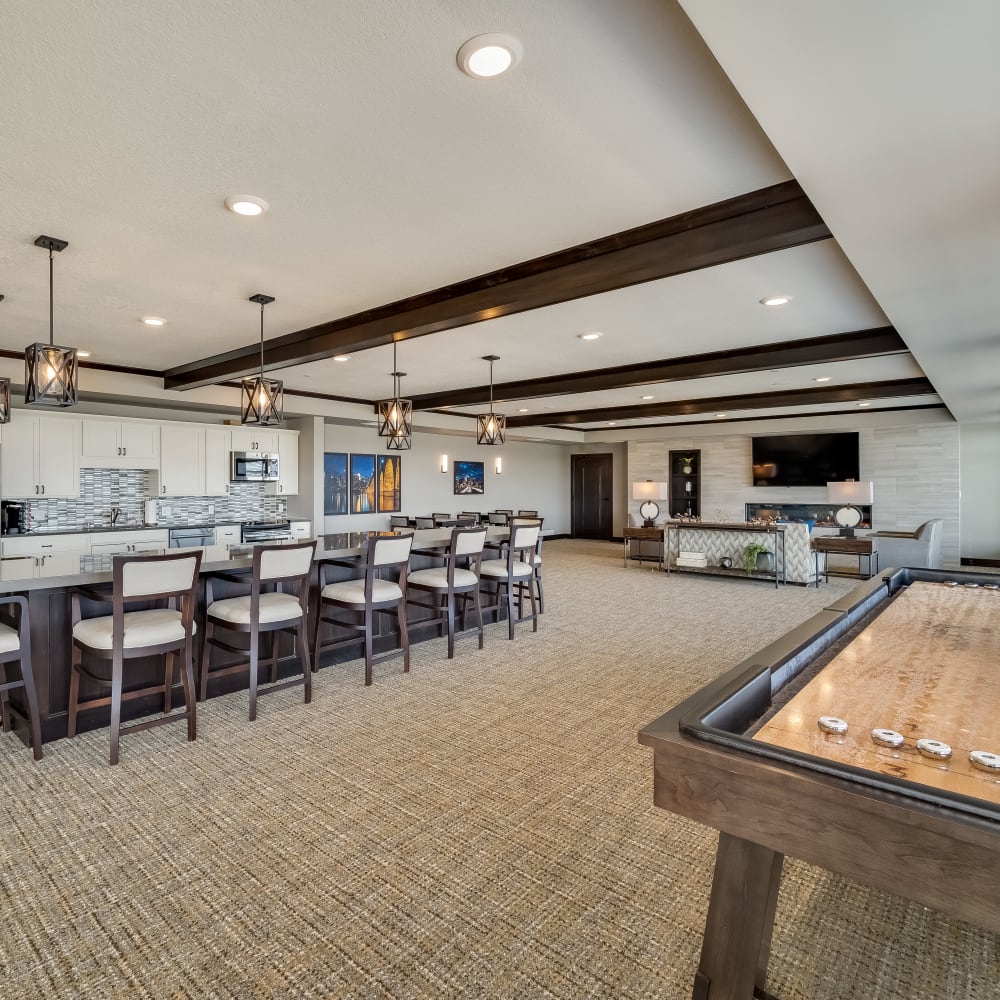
<point>389,173</point>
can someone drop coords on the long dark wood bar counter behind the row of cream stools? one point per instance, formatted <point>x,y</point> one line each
<point>49,609</point>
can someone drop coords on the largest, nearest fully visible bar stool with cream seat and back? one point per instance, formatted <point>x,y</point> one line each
<point>167,580</point>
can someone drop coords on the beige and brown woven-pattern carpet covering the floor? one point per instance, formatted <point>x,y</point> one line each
<point>480,828</point>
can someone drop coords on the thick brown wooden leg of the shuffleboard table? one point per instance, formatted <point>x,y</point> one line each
<point>737,942</point>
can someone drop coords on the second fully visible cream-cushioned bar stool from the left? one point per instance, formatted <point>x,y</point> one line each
<point>273,611</point>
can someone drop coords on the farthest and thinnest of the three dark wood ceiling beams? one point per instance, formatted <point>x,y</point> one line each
<point>889,389</point>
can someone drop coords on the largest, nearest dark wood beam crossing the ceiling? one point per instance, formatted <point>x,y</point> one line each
<point>773,218</point>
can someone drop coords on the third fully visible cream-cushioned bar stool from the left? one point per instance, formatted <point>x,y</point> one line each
<point>370,595</point>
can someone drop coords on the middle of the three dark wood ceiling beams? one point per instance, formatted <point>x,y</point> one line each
<point>766,357</point>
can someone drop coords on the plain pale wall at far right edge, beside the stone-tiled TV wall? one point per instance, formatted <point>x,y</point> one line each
<point>981,490</point>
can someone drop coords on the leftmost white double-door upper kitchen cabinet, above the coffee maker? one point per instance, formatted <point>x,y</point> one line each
<point>40,457</point>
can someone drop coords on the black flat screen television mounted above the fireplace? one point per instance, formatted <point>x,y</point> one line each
<point>805,459</point>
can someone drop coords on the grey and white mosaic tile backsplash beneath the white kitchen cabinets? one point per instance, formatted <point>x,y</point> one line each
<point>128,489</point>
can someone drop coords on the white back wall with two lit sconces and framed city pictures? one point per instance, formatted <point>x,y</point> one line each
<point>535,477</point>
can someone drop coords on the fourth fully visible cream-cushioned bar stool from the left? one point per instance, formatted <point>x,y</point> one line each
<point>446,583</point>
